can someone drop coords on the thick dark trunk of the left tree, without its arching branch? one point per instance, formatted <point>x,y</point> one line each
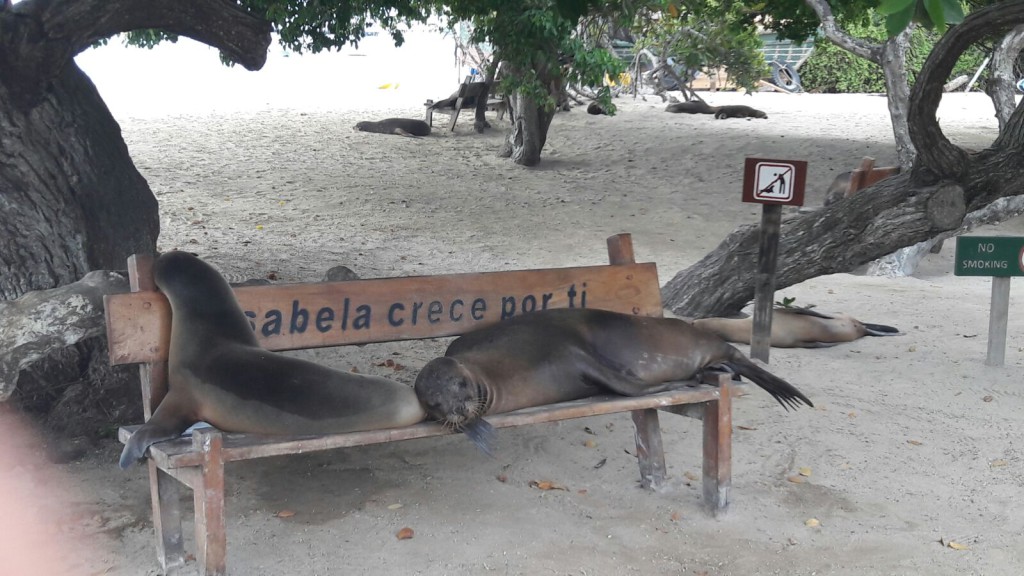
<point>73,201</point>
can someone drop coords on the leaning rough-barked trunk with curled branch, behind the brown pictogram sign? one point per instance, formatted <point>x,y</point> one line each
<point>944,187</point>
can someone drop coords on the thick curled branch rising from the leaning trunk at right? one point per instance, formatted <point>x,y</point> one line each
<point>937,157</point>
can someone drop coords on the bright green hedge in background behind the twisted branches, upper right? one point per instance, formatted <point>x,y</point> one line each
<point>832,69</point>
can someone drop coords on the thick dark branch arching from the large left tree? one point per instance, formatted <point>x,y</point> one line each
<point>39,37</point>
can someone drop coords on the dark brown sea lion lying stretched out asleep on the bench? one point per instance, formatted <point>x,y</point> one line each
<point>568,354</point>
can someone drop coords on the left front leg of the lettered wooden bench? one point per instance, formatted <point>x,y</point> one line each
<point>209,498</point>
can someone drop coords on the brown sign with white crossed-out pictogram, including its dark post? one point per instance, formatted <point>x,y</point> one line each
<point>773,184</point>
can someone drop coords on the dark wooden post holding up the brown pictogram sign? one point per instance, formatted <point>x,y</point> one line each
<point>764,292</point>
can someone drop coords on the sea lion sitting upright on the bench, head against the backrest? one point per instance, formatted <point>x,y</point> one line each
<point>219,374</point>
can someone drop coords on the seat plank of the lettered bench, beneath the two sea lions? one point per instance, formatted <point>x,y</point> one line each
<point>181,454</point>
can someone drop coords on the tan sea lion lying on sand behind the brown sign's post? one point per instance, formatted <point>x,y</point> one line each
<point>798,328</point>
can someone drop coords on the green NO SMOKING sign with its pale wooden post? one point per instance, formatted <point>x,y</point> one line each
<point>1000,258</point>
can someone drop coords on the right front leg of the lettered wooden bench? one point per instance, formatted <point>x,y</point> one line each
<point>718,448</point>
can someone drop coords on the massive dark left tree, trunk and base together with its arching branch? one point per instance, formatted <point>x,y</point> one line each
<point>71,200</point>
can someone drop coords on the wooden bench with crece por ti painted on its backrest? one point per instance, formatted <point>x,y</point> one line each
<point>383,310</point>
